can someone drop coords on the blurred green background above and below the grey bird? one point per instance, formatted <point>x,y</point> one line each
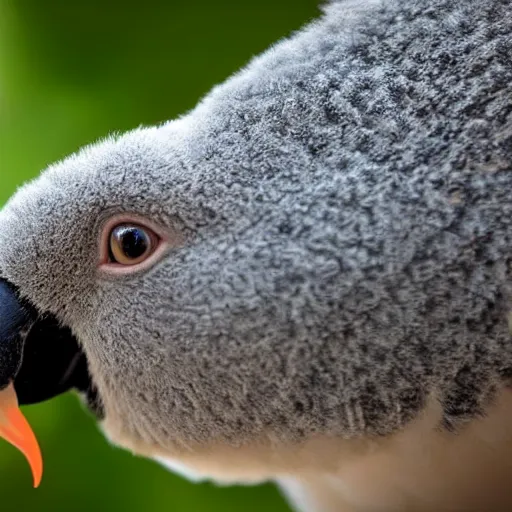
<point>72,71</point>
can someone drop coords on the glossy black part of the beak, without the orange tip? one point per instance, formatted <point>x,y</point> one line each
<point>41,357</point>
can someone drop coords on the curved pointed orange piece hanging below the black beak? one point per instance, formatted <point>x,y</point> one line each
<point>15,429</point>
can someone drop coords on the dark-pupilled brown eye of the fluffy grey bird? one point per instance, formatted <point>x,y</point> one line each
<point>130,244</point>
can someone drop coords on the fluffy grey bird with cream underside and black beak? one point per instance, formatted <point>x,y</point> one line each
<point>305,279</point>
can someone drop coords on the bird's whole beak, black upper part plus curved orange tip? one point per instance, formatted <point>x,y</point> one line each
<point>39,359</point>
